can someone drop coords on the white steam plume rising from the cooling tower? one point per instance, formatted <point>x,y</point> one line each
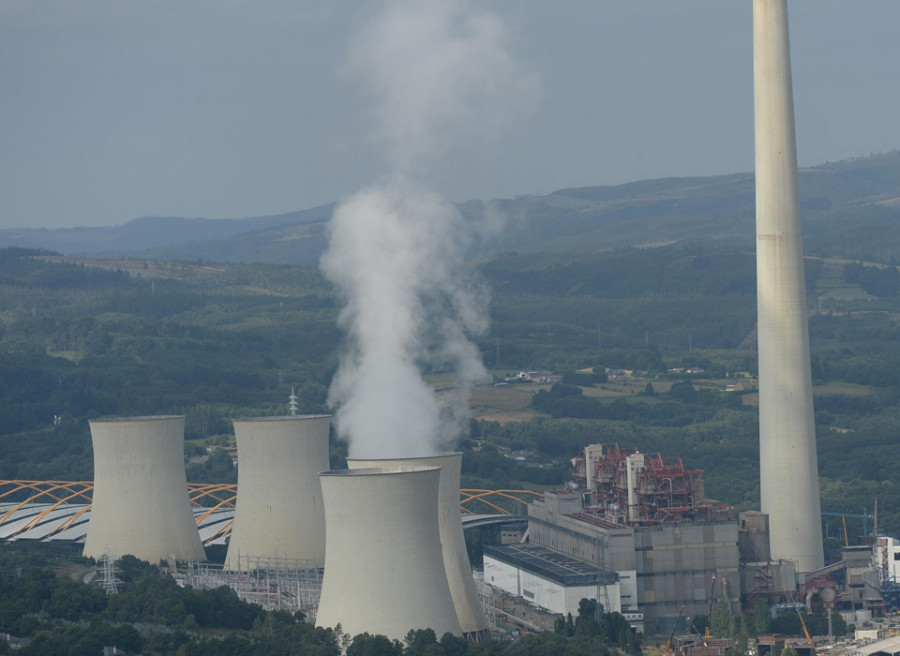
<point>439,80</point>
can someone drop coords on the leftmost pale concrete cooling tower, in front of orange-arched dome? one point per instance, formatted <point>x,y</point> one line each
<point>141,505</point>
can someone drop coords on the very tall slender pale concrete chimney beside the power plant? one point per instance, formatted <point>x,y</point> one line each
<point>789,482</point>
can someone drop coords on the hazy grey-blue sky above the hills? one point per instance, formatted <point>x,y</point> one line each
<point>115,109</point>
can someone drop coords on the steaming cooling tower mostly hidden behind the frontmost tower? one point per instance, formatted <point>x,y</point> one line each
<point>471,618</point>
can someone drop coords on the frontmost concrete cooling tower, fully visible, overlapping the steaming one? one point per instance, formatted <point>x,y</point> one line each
<point>384,571</point>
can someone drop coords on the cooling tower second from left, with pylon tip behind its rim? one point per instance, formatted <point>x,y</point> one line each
<point>279,511</point>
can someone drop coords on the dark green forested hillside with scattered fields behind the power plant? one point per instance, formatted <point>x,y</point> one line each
<point>218,341</point>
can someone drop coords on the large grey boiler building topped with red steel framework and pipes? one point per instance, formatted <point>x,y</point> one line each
<point>645,519</point>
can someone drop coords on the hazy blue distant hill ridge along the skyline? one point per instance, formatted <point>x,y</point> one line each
<point>851,208</point>
